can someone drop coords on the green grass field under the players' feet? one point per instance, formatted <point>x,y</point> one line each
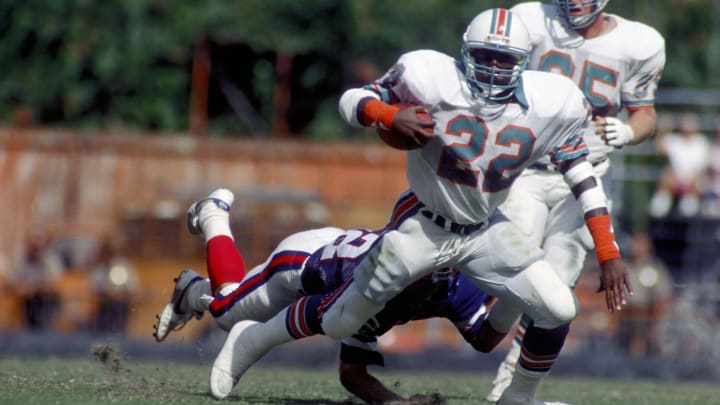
<point>108,379</point>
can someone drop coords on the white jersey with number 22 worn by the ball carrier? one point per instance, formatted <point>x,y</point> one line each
<point>479,148</point>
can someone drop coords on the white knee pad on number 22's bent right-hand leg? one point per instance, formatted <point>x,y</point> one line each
<point>558,305</point>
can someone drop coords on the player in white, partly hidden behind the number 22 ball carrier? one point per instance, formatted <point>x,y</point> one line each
<point>617,64</point>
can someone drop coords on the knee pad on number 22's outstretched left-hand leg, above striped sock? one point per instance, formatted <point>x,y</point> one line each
<point>348,313</point>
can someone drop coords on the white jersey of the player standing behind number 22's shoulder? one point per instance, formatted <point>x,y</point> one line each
<point>618,69</point>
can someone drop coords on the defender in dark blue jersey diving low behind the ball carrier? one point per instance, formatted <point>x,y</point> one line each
<point>317,262</point>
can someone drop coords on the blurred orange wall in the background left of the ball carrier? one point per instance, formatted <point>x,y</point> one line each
<point>137,188</point>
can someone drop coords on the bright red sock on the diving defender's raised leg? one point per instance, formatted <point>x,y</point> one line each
<point>224,263</point>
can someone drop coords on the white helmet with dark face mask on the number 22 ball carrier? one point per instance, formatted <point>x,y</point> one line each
<point>495,51</point>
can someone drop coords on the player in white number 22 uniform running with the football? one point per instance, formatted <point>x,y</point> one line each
<point>492,119</point>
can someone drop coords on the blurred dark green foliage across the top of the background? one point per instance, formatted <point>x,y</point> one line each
<point>127,64</point>
